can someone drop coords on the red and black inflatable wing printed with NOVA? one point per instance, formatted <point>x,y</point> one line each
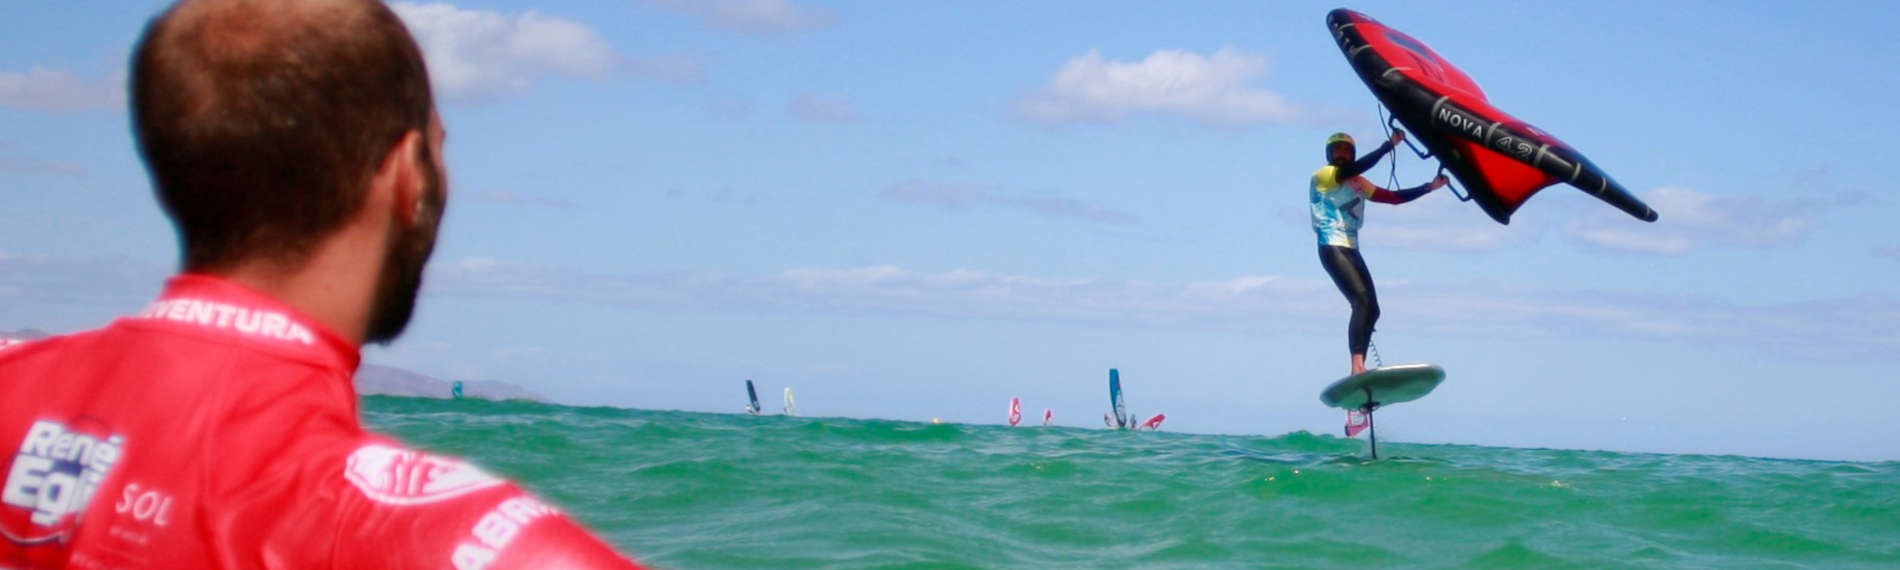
<point>1498,159</point>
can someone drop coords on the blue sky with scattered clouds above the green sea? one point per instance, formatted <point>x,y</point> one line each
<point>921,210</point>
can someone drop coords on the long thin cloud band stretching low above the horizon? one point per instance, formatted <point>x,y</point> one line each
<point>1842,328</point>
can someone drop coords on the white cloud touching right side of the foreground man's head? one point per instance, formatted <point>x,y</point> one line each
<point>478,52</point>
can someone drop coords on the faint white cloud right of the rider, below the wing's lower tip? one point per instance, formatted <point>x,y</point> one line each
<point>1692,219</point>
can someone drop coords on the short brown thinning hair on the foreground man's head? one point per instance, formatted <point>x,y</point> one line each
<point>263,123</point>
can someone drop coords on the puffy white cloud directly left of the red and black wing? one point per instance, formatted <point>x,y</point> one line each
<point>1206,88</point>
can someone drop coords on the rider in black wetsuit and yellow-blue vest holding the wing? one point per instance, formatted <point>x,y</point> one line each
<point>1339,195</point>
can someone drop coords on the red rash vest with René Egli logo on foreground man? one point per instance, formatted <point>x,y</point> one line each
<point>219,430</point>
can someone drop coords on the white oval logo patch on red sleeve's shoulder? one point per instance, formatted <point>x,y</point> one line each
<point>409,478</point>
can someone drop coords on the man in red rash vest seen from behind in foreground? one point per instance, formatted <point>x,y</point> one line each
<point>295,145</point>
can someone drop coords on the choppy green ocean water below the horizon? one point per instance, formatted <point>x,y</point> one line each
<point>731,491</point>
